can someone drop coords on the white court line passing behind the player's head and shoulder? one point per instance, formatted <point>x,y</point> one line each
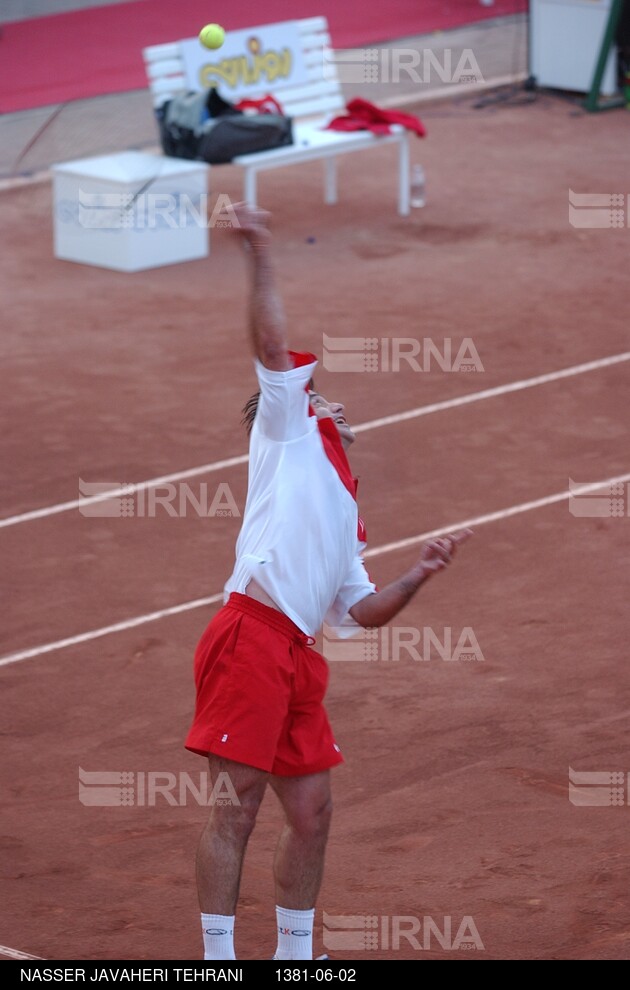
<point>462,400</point>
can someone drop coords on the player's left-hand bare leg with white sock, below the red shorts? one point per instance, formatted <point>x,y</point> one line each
<point>221,852</point>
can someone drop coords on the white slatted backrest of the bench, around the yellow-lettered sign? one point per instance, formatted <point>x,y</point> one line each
<point>319,96</point>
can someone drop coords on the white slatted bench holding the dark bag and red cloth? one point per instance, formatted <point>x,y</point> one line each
<point>311,105</point>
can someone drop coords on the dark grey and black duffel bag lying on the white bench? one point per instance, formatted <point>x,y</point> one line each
<point>205,127</point>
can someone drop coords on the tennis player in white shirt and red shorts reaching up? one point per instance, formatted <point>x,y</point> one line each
<point>260,685</point>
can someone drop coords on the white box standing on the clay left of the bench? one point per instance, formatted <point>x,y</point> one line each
<point>130,211</point>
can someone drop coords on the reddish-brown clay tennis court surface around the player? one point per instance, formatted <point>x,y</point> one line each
<point>453,801</point>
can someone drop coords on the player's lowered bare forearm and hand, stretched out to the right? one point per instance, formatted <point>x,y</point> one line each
<point>380,608</point>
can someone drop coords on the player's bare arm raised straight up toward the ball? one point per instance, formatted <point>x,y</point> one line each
<point>267,319</point>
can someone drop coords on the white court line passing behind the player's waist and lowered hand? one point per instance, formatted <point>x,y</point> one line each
<point>386,548</point>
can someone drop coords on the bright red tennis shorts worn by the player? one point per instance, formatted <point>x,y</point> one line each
<point>259,693</point>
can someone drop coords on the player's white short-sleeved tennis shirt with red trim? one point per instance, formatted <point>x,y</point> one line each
<point>301,538</point>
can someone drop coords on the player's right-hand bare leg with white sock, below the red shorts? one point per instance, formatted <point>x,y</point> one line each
<point>299,859</point>
